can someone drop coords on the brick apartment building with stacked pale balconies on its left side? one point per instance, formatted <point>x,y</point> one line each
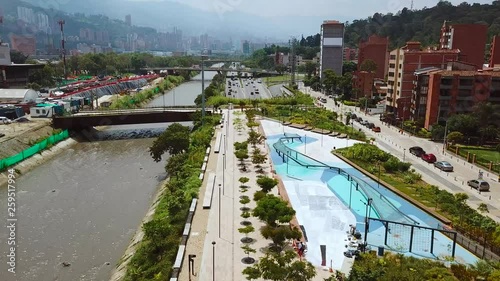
<point>403,63</point>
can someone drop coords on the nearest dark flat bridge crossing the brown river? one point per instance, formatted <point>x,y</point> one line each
<point>125,117</point>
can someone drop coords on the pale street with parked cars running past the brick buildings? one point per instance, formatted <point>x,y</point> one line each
<point>392,141</point>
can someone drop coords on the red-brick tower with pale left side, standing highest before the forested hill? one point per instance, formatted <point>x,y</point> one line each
<point>470,39</point>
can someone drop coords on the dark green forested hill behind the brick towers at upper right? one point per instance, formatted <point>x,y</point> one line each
<point>423,25</point>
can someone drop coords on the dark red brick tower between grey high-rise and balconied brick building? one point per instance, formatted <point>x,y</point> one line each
<point>375,49</point>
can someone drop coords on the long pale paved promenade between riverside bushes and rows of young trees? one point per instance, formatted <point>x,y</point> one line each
<point>220,225</point>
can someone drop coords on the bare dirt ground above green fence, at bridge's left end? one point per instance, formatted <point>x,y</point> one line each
<point>19,136</point>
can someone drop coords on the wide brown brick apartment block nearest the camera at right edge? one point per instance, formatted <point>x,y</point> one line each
<point>457,91</point>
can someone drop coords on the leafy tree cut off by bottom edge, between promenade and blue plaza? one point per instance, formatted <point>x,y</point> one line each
<point>281,267</point>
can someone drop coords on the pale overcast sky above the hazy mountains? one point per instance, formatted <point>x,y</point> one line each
<point>327,9</point>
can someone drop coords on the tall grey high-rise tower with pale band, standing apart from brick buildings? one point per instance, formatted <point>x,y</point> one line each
<point>332,45</point>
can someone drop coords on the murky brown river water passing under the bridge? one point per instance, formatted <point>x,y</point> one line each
<point>83,206</point>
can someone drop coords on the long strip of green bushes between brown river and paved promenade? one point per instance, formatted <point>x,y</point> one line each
<point>156,254</point>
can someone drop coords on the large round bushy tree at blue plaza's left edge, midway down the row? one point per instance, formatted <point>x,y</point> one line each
<point>273,210</point>
